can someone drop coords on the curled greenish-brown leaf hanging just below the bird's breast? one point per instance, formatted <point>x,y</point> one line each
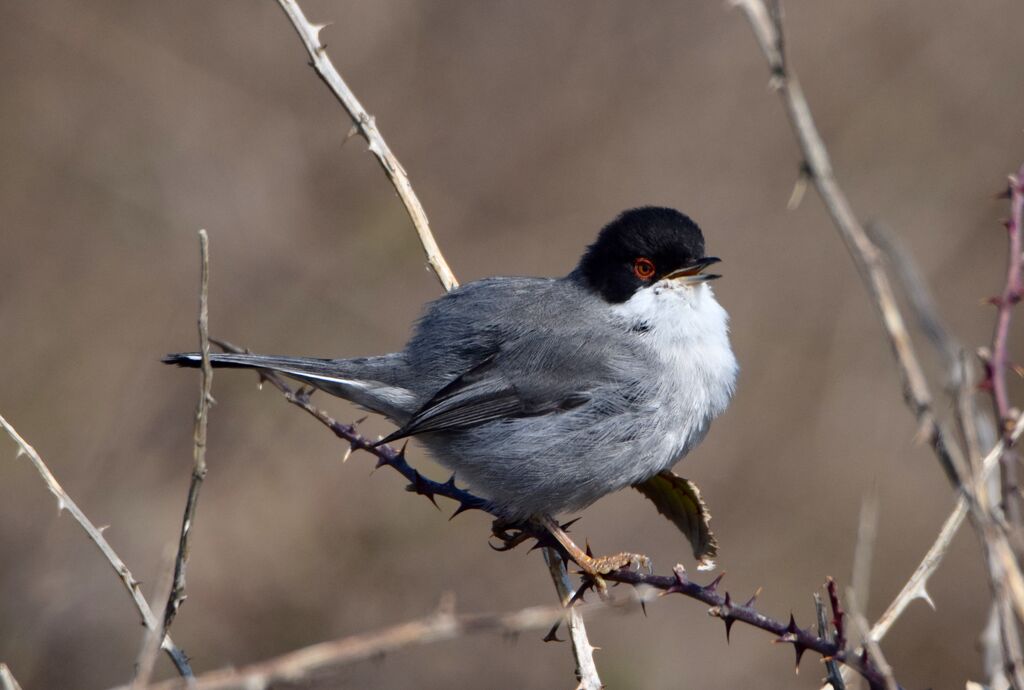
<point>679,500</point>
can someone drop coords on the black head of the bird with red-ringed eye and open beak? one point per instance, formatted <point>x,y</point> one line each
<point>642,247</point>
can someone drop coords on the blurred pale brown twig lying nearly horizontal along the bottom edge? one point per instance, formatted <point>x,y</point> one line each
<point>445,624</point>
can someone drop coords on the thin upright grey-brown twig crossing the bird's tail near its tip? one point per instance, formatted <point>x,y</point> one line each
<point>178,595</point>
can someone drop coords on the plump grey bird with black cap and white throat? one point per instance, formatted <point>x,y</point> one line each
<point>545,395</point>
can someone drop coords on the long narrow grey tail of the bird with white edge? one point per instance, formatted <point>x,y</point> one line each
<point>370,382</point>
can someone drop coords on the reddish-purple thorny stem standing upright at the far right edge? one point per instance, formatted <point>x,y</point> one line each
<point>999,361</point>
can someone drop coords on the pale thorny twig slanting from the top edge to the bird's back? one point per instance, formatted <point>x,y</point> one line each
<point>365,123</point>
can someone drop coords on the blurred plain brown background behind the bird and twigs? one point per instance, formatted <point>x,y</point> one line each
<point>126,126</point>
